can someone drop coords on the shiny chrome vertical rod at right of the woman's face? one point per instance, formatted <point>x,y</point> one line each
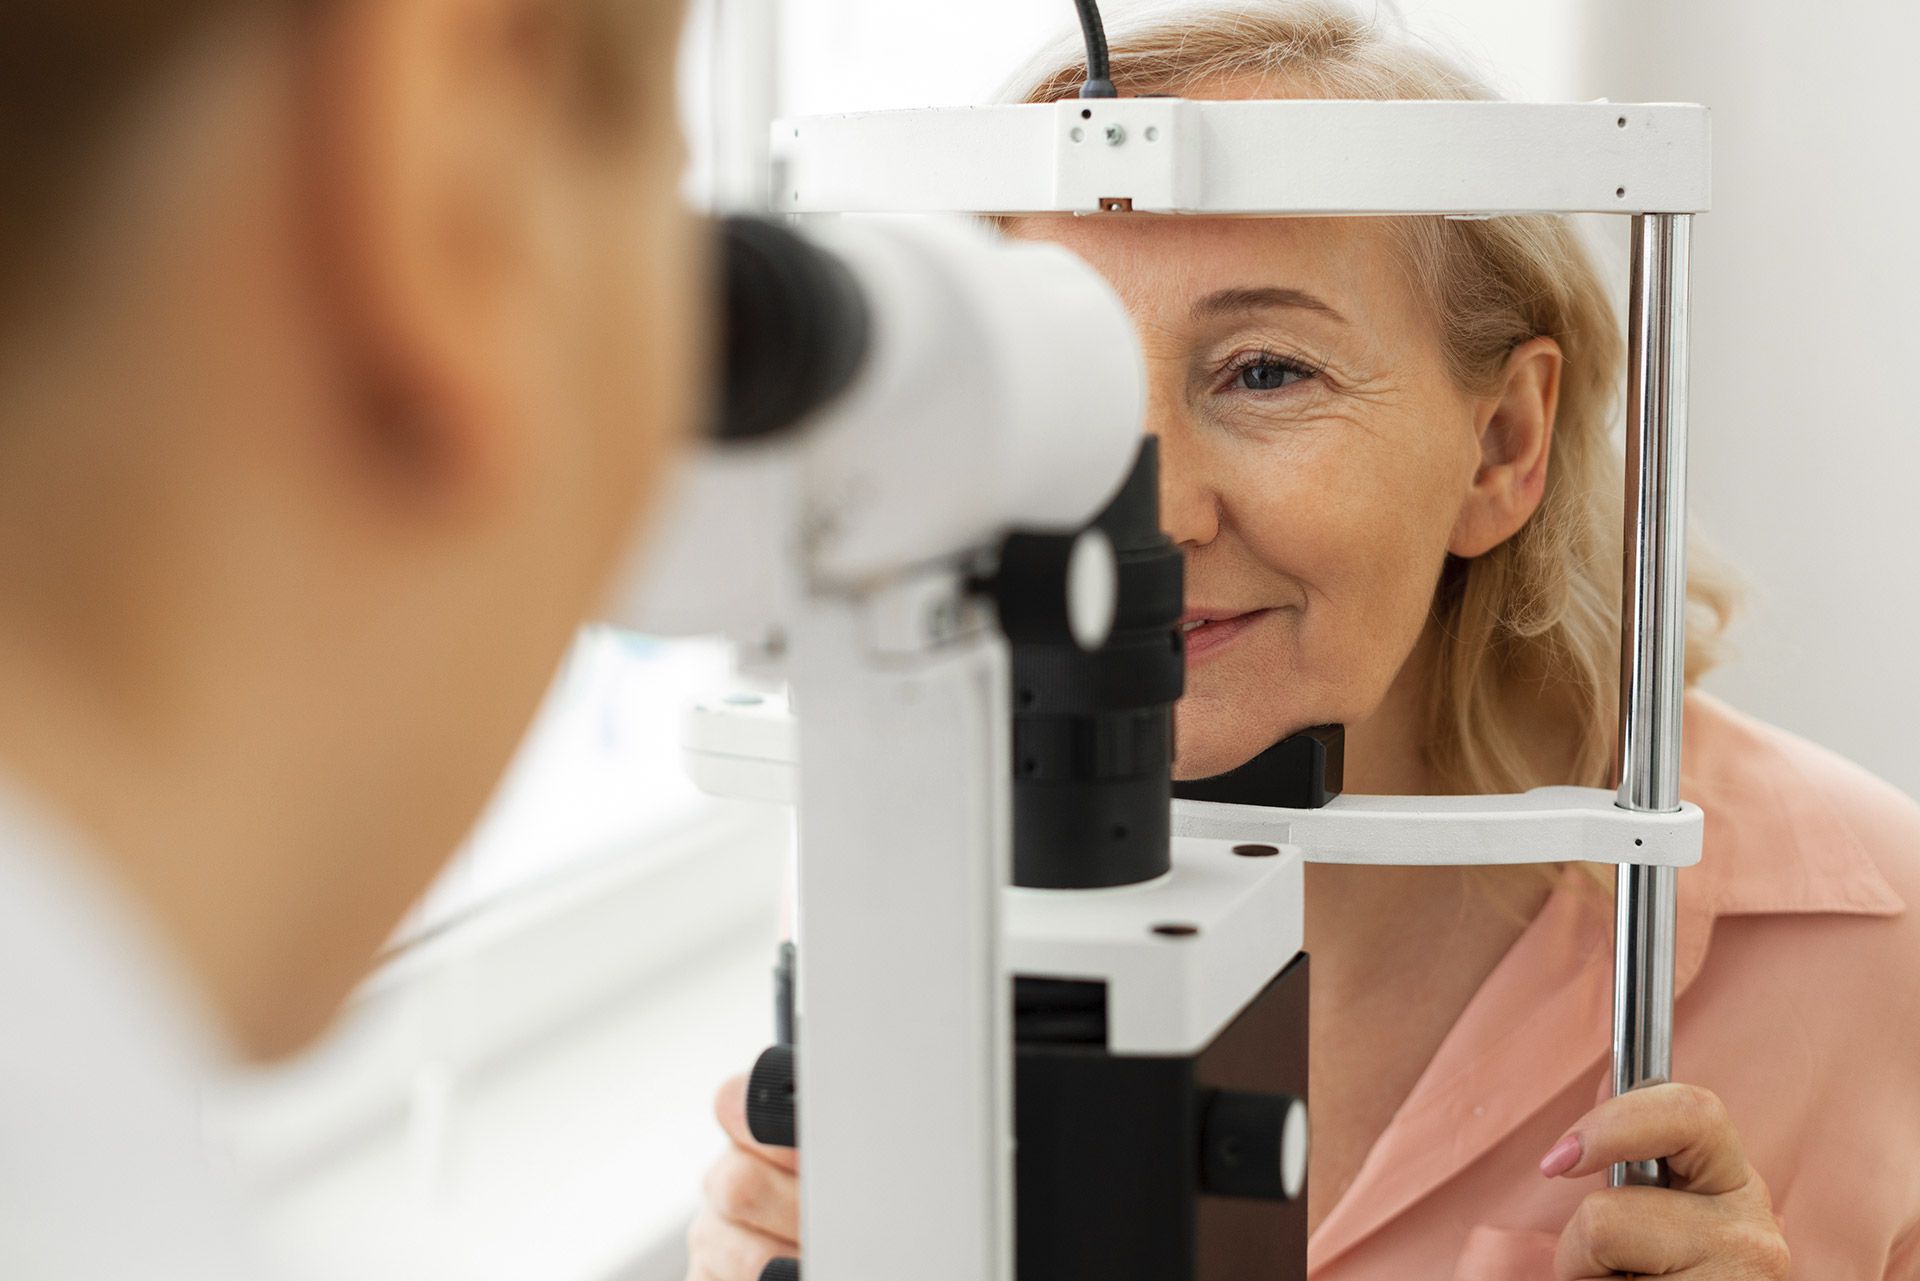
<point>1652,652</point>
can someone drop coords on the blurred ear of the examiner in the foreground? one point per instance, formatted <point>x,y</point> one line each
<point>433,145</point>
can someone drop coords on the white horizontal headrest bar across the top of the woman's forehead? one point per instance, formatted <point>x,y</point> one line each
<point>1251,158</point>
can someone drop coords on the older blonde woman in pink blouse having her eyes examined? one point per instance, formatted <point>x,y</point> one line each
<point>1387,458</point>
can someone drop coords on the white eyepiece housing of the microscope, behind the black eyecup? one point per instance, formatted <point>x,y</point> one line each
<point>1003,393</point>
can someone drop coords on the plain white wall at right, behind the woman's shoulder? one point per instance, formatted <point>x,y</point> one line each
<point>1806,433</point>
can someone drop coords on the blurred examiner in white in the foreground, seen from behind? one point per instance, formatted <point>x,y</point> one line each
<point>343,349</point>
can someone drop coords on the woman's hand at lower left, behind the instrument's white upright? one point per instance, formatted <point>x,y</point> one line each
<point>754,1201</point>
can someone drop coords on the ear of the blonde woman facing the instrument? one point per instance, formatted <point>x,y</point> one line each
<point>1516,427</point>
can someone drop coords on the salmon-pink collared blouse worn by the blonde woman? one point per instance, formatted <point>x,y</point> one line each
<point>1798,979</point>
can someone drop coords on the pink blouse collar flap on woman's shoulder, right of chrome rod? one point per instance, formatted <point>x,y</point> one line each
<point>1796,827</point>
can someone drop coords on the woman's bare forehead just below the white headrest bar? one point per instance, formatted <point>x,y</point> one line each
<point>1349,264</point>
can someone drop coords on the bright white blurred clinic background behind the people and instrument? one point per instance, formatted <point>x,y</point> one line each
<point>523,1090</point>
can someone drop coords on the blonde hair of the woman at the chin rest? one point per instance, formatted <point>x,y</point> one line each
<point>1539,616</point>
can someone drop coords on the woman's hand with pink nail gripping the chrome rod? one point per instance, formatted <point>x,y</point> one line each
<point>1714,1224</point>
